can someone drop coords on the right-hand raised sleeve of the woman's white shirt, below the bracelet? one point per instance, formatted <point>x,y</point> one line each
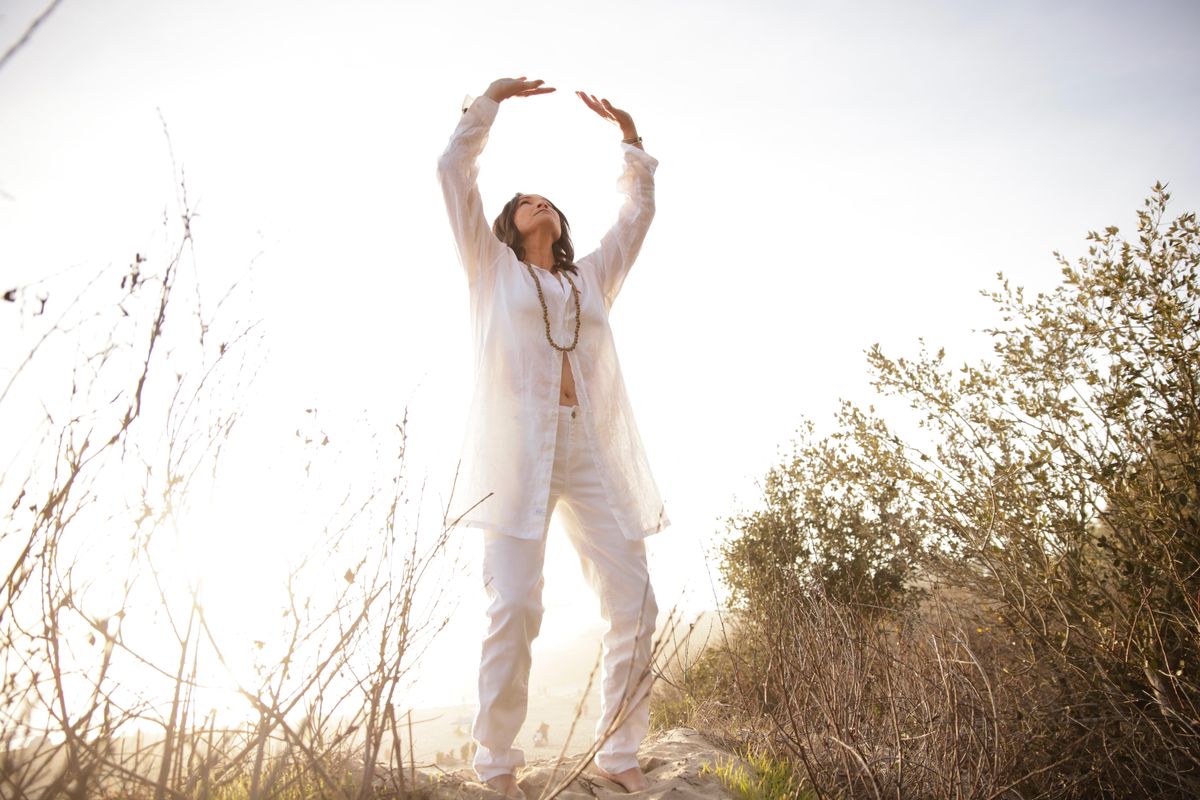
<point>620,248</point>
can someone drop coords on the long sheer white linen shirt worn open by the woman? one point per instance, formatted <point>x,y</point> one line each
<point>508,449</point>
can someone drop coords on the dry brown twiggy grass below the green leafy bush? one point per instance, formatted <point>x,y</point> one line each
<point>940,701</point>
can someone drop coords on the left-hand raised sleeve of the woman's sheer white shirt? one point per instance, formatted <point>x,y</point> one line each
<point>458,172</point>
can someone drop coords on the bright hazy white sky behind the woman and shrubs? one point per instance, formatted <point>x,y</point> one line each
<point>831,177</point>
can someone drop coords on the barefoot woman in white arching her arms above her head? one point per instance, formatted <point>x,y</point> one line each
<point>551,422</point>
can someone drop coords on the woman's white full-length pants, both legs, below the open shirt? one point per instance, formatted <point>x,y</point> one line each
<point>616,570</point>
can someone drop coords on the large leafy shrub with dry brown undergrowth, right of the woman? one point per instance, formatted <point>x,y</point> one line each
<point>1054,515</point>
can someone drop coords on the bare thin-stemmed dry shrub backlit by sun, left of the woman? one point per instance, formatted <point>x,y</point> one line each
<point>118,411</point>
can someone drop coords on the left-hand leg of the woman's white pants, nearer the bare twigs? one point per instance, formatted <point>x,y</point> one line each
<point>513,579</point>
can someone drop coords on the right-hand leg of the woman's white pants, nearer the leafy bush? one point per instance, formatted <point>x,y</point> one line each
<point>617,570</point>
